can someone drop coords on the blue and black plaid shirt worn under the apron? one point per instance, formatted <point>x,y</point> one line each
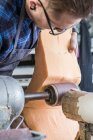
<point>9,19</point>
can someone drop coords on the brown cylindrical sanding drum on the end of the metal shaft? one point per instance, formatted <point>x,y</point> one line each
<point>57,91</point>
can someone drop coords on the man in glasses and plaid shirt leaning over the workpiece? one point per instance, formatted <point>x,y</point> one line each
<point>21,22</point>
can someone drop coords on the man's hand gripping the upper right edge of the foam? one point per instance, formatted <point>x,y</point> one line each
<point>74,43</point>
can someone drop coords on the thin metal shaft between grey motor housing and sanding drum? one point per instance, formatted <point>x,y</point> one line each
<point>36,96</point>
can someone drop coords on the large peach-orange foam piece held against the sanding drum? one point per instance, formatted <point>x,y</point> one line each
<point>53,64</point>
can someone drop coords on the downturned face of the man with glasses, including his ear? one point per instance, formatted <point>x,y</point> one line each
<point>64,21</point>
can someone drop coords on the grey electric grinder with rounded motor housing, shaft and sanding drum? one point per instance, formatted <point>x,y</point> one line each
<point>12,98</point>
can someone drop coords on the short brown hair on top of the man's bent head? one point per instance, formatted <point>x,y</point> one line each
<point>77,8</point>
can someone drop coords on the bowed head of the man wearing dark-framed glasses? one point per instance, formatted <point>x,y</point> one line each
<point>60,13</point>
